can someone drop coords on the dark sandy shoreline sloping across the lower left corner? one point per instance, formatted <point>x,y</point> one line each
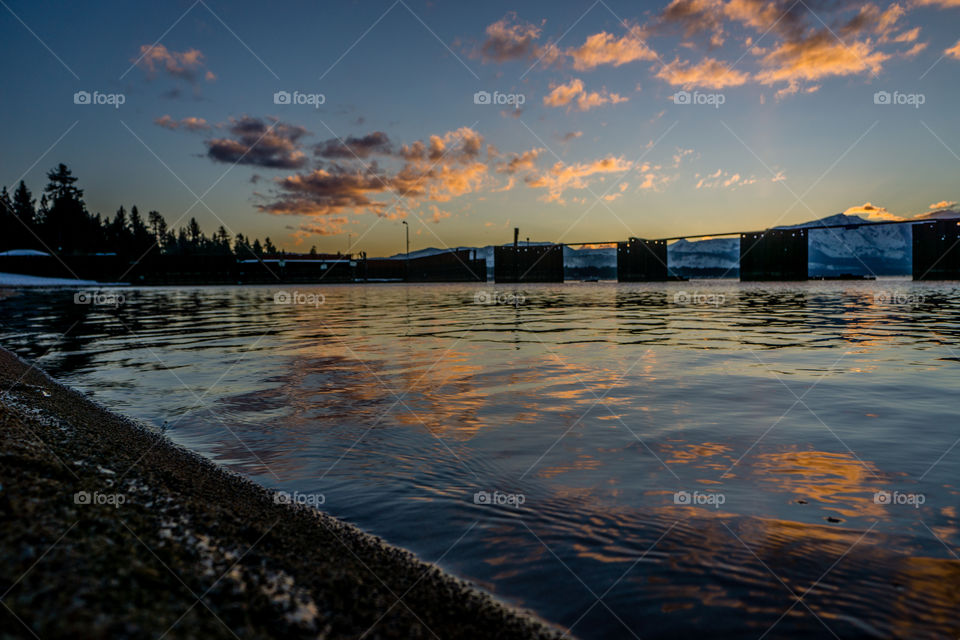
<point>112,530</point>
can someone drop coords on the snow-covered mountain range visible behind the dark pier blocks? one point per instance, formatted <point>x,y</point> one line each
<point>876,249</point>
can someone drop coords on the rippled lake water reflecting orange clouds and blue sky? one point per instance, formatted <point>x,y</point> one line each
<point>656,461</point>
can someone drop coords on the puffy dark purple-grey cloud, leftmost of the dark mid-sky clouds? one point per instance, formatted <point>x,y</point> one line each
<point>264,143</point>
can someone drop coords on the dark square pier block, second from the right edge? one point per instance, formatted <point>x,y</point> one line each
<point>774,254</point>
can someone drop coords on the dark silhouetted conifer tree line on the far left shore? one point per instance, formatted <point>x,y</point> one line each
<point>60,223</point>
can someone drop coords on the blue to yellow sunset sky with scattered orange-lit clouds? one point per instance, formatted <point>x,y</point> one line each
<point>328,124</point>
